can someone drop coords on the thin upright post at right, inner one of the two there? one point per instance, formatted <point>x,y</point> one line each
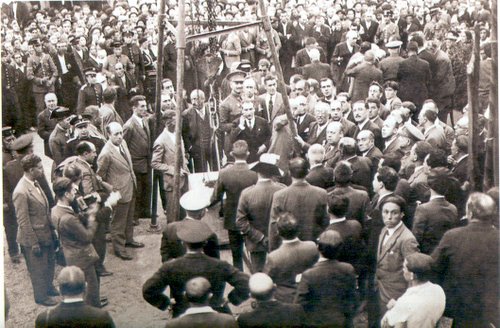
<point>472,93</point>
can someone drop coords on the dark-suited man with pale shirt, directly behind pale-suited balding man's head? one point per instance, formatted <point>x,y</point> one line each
<point>127,87</point>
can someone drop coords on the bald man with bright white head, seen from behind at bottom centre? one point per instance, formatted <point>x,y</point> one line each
<point>268,311</point>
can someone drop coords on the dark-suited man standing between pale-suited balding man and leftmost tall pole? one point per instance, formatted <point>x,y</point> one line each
<point>137,135</point>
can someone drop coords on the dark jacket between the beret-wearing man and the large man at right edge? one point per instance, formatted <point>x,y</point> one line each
<point>431,221</point>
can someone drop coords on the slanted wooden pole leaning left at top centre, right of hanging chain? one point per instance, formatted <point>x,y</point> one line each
<point>277,66</point>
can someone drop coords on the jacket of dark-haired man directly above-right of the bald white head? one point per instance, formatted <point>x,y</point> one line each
<point>286,262</point>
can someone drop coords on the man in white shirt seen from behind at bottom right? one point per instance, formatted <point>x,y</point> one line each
<point>423,303</point>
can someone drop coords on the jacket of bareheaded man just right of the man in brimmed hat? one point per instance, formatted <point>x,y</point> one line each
<point>307,203</point>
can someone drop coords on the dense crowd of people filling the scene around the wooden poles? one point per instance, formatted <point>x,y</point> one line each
<point>356,199</point>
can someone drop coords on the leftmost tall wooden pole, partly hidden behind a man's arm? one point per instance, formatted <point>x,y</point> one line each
<point>154,226</point>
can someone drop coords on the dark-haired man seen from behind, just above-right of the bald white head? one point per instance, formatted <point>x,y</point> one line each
<point>292,258</point>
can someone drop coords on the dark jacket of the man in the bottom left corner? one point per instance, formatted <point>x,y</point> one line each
<point>73,314</point>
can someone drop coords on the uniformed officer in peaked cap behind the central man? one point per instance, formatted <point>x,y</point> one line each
<point>230,109</point>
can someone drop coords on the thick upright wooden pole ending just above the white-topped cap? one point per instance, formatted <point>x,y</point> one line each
<point>181,47</point>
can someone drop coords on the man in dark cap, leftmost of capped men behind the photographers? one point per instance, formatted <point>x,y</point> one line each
<point>59,136</point>
